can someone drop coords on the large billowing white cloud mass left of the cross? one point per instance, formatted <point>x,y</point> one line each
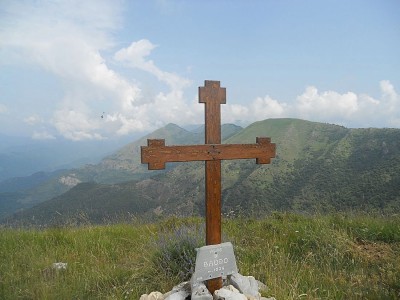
<point>66,39</point>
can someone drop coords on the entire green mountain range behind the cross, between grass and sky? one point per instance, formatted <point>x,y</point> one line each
<point>319,168</point>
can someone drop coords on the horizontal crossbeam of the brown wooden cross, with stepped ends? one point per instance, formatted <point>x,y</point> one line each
<point>156,154</point>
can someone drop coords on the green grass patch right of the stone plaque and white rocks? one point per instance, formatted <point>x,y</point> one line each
<point>325,257</point>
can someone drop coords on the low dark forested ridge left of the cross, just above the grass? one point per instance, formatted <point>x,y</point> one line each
<point>88,202</point>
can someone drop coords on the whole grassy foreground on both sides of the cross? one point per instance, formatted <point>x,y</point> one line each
<point>298,257</point>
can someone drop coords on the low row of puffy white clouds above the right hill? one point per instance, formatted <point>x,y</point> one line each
<point>349,109</point>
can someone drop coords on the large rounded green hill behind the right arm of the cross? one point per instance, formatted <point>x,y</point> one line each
<point>321,167</point>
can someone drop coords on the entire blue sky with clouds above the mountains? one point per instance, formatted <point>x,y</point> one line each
<point>92,70</point>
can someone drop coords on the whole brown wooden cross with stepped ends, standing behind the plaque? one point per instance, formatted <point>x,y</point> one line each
<point>156,154</point>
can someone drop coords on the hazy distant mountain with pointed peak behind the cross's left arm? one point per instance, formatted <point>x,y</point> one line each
<point>122,166</point>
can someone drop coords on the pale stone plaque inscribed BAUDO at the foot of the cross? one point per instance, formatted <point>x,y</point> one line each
<point>214,261</point>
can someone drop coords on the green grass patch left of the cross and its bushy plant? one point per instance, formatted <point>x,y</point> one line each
<point>103,262</point>
